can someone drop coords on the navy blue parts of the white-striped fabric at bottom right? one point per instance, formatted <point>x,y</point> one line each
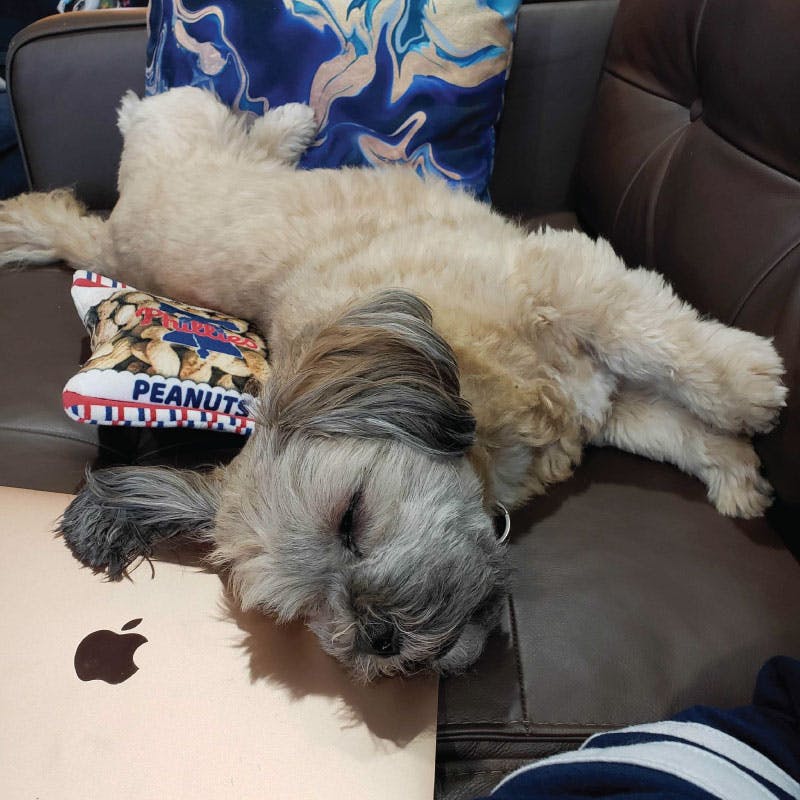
<point>771,726</point>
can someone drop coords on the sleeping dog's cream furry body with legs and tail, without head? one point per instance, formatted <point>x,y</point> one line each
<point>543,325</point>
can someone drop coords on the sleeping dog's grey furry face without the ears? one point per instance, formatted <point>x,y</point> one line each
<point>387,552</point>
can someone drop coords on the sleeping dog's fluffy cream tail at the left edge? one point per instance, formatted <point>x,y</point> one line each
<point>42,228</point>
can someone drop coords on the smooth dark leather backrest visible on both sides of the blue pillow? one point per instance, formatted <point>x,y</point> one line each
<point>68,72</point>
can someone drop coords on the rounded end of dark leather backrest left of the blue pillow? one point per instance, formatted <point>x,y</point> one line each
<point>65,75</point>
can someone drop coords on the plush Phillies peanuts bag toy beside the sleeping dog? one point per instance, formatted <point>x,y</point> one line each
<point>160,363</point>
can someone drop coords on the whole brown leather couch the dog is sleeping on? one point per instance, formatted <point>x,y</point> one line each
<point>678,140</point>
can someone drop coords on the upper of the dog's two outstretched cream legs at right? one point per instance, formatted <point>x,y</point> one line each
<point>634,324</point>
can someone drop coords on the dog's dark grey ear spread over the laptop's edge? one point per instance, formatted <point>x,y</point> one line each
<point>122,512</point>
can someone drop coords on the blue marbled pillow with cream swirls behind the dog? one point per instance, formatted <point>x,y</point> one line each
<point>413,81</point>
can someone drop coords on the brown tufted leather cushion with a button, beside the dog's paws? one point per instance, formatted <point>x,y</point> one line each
<point>691,165</point>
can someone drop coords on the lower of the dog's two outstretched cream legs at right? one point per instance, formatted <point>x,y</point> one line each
<point>648,425</point>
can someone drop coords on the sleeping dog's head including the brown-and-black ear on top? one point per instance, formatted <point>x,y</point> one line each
<point>353,504</point>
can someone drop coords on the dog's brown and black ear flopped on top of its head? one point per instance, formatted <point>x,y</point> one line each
<point>379,370</point>
